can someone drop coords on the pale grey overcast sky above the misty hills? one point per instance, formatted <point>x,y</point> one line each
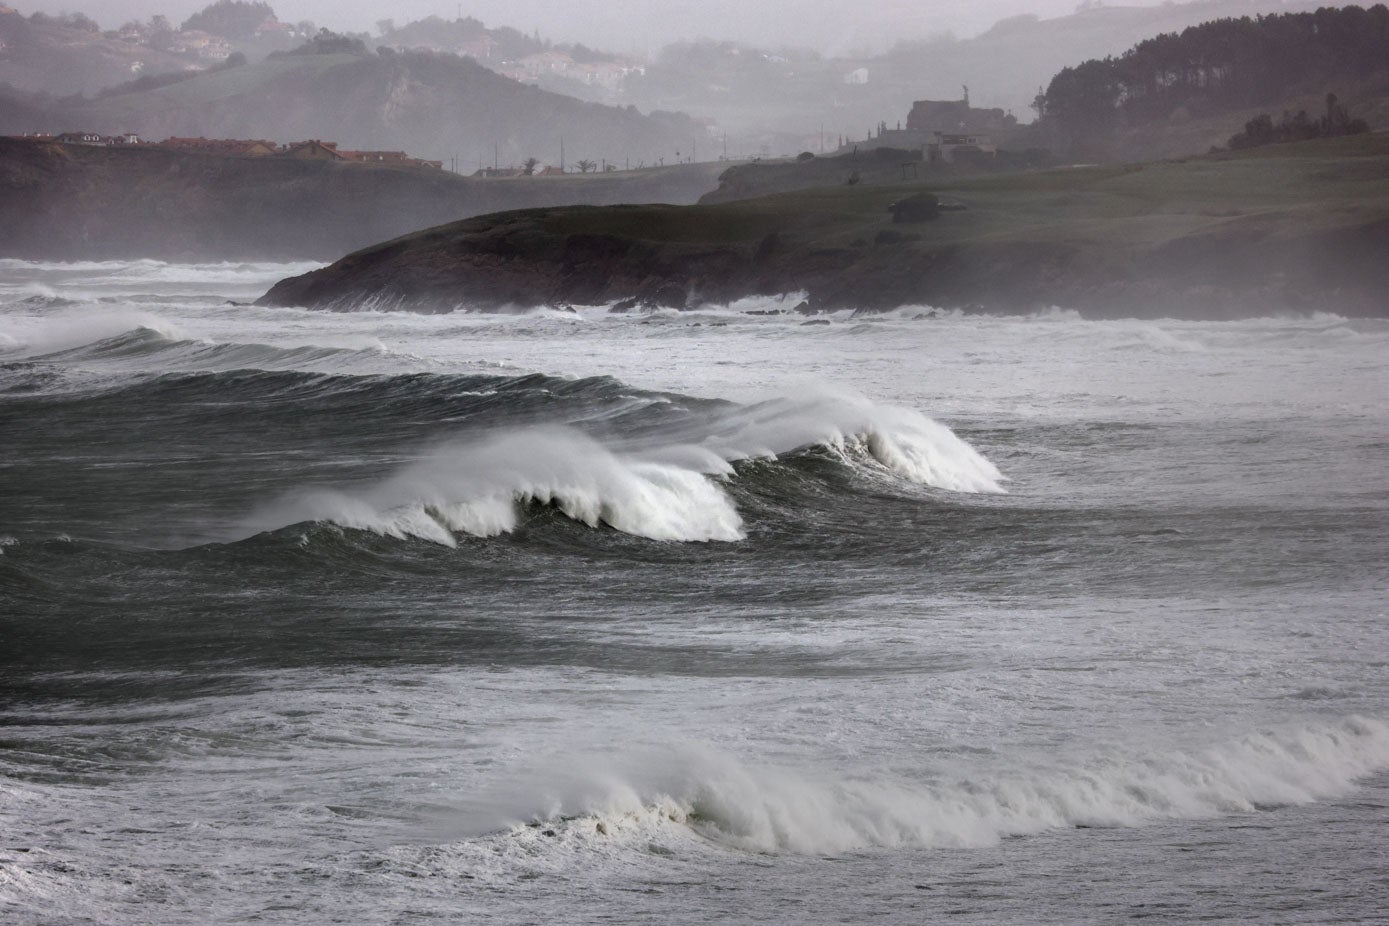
<point>634,26</point>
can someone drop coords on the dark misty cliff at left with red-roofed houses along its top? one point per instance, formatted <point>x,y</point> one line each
<point>60,202</point>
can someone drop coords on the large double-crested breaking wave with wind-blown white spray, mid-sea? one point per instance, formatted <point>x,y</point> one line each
<point>663,485</point>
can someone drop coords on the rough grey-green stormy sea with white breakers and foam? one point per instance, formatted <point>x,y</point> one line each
<point>723,616</point>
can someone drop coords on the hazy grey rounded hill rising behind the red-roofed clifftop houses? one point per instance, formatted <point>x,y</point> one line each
<point>434,106</point>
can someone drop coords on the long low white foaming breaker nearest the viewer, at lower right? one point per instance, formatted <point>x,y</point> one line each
<point>773,810</point>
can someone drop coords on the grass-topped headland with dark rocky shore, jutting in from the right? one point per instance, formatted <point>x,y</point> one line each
<point>1292,227</point>
